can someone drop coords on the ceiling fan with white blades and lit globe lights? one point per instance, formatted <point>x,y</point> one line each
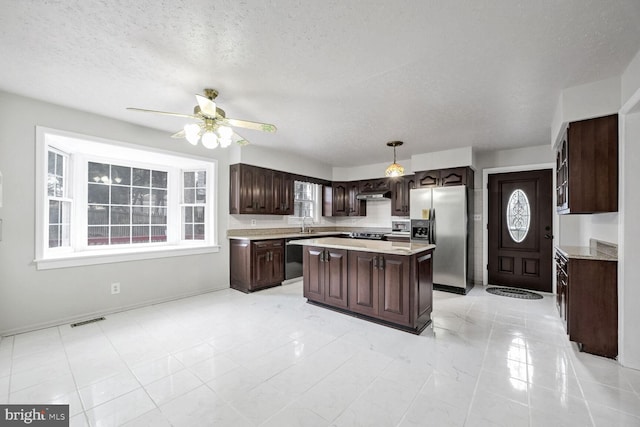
<point>214,127</point>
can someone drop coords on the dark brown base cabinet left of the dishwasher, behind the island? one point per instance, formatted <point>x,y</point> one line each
<point>256,264</point>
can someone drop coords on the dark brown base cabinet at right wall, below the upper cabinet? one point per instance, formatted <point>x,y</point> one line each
<point>587,298</point>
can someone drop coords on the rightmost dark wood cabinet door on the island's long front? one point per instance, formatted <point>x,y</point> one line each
<point>394,288</point>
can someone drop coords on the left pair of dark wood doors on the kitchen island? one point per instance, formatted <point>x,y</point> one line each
<point>325,275</point>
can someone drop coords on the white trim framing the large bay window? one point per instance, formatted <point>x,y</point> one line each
<point>46,258</point>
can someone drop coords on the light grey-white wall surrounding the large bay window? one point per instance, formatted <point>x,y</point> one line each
<point>31,298</point>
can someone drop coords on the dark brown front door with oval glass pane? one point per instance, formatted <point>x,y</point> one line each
<point>520,230</point>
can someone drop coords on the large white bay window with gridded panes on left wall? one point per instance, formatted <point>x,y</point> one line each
<point>99,199</point>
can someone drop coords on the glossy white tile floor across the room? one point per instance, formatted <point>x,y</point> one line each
<point>270,359</point>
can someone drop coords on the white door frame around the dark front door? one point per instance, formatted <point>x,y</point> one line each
<point>485,213</point>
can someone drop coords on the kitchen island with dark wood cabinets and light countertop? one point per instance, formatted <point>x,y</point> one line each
<point>385,282</point>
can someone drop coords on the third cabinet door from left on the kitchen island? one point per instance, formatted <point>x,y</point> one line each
<point>363,282</point>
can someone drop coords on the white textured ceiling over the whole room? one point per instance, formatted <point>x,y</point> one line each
<point>338,78</point>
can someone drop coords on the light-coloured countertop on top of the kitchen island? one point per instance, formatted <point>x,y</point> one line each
<point>378,246</point>
